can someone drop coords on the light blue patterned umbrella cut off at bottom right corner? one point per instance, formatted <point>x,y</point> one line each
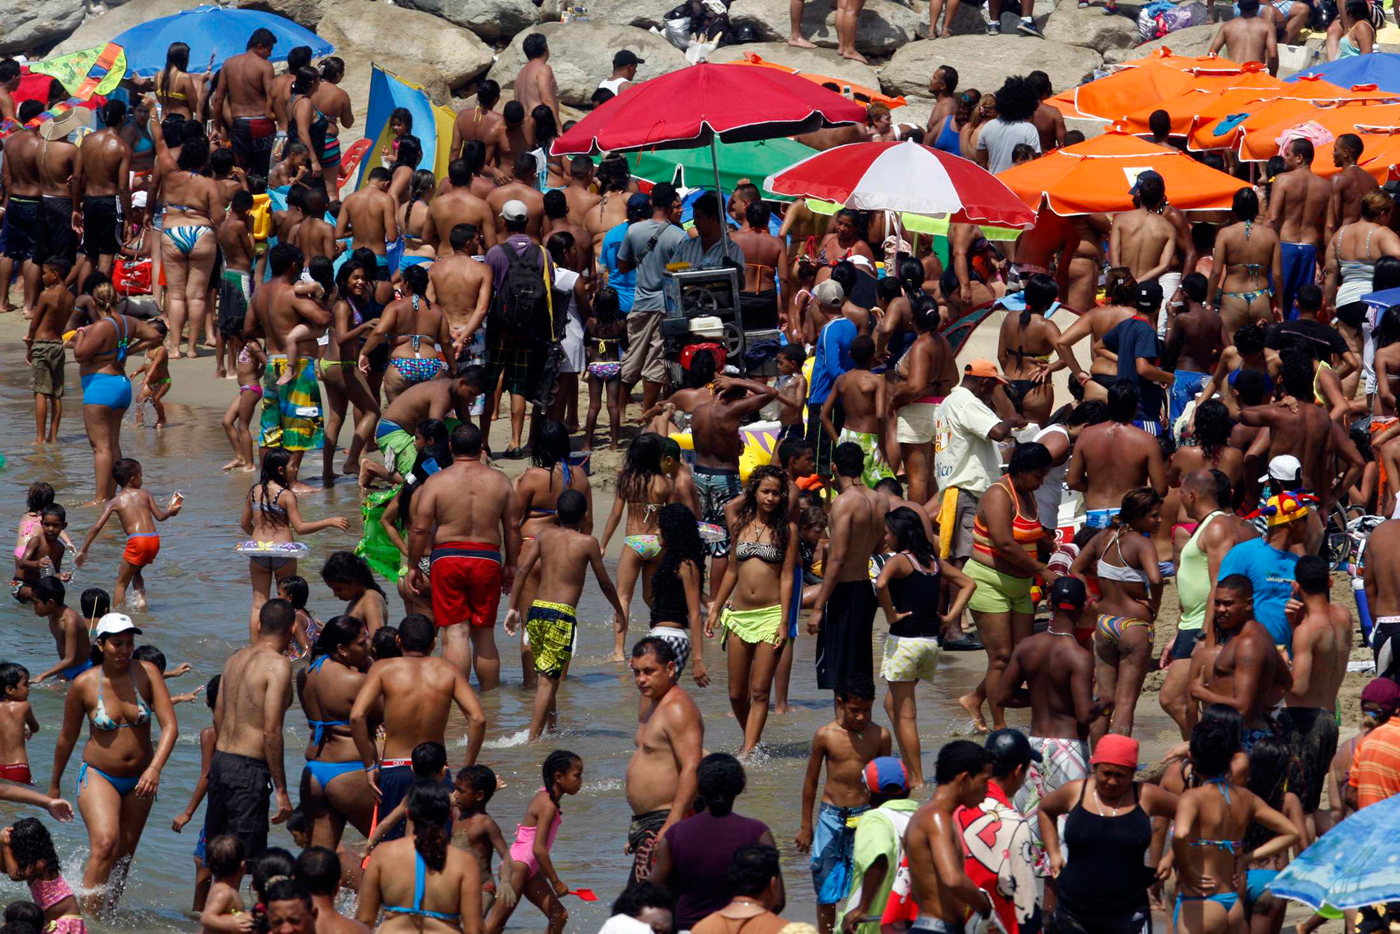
<point>1354,865</point>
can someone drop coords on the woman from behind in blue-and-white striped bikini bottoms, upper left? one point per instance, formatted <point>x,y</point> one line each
<point>194,209</point>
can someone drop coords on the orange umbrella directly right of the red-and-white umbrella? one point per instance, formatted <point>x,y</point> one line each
<point>1098,176</point>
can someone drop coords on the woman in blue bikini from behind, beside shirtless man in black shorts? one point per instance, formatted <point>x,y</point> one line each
<point>334,789</point>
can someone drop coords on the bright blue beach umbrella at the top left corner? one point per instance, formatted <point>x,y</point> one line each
<point>212,32</point>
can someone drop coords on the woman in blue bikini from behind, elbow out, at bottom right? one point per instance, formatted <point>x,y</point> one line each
<point>1207,837</point>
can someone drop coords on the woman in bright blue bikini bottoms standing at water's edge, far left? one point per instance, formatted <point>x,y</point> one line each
<point>101,351</point>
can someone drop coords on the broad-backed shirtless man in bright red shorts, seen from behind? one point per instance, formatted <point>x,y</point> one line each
<point>467,513</point>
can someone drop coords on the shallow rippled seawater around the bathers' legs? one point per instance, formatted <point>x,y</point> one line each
<point>199,600</point>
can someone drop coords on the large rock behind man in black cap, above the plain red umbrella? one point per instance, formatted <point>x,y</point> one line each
<point>582,57</point>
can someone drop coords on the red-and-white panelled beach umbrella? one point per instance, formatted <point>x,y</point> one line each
<point>905,177</point>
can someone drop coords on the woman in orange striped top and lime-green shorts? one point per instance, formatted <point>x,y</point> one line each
<point>1004,562</point>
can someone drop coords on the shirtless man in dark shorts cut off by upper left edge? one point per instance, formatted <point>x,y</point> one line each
<point>20,200</point>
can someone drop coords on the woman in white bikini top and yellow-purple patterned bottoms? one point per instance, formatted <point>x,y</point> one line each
<point>1125,559</point>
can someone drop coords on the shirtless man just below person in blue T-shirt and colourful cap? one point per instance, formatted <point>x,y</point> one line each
<point>1248,674</point>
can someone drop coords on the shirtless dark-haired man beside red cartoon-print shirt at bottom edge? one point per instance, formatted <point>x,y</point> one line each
<point>933,842</point>
